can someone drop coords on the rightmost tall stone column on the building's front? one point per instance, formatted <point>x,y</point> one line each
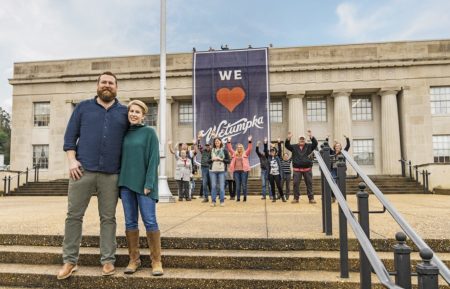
<point>390,132</point>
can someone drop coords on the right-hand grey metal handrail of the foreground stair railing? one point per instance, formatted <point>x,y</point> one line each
<point>417,240</point>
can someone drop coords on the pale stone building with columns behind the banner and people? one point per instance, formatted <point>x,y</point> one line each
<point>392,99</point>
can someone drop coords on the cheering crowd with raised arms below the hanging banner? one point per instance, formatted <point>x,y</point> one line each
<point>224,166</point>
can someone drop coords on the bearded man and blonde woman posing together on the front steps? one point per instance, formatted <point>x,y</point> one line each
<point>112,153</point>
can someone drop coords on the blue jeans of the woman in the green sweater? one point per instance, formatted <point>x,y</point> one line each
<point>133,203</point>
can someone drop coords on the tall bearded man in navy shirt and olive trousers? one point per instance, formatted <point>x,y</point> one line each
<point>93,143</point>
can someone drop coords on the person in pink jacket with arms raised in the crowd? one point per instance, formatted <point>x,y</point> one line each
<point>240,166</point>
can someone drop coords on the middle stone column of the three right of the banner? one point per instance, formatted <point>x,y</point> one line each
<point>342,116</point>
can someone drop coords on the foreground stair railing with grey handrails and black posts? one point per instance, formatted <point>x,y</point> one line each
<point>369,261</point>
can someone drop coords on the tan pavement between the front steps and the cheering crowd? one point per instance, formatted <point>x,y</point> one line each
<point>429,215</point>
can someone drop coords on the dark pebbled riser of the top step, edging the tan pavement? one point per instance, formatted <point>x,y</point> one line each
<point>260,244</point>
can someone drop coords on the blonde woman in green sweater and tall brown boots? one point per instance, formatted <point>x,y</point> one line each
<point>138,182</point>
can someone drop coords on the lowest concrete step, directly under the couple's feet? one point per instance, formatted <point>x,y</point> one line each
<point>90,278</point>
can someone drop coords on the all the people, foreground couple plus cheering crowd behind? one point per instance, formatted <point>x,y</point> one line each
<point>112,152</point>
